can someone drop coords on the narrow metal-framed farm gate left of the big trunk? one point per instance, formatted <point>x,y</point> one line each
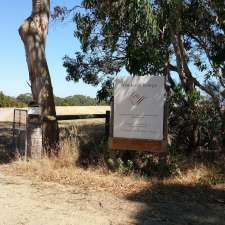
<point>20,131</point>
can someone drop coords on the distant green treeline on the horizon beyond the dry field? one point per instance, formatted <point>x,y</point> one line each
<point>23,99</point>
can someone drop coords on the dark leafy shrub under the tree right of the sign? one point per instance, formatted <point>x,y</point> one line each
<point>193,122</point>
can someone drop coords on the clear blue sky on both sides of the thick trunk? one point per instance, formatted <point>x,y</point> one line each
<point>14,73</point>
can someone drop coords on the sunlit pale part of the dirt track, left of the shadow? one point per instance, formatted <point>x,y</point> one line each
<point>28,203</point>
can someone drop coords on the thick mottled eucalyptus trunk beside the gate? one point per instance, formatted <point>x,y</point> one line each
<point>33,32</point>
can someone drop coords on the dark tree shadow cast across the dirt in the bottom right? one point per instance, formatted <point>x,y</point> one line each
<point>177,204</point>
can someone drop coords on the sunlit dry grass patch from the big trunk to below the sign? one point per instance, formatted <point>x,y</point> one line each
<point>63,170</point>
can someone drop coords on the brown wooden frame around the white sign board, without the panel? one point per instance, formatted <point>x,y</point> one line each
<point>153,146</point>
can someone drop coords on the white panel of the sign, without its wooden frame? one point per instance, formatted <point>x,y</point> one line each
<point>139,107</point>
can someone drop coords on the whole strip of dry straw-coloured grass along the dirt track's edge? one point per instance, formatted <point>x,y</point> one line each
<point>63,170</point>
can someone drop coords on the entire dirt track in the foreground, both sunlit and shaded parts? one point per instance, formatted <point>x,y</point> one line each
<point>25,202</point>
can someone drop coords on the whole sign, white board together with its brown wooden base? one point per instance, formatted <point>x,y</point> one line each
<point>139,114</point>
